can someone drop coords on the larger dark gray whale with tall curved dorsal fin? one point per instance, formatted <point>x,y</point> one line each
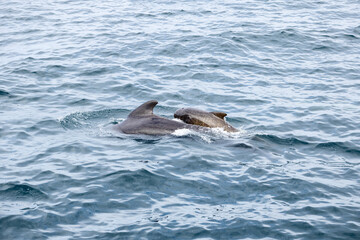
<point>143,121</point>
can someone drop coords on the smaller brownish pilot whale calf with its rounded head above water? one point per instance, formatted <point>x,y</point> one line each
<point>203,118</point>
